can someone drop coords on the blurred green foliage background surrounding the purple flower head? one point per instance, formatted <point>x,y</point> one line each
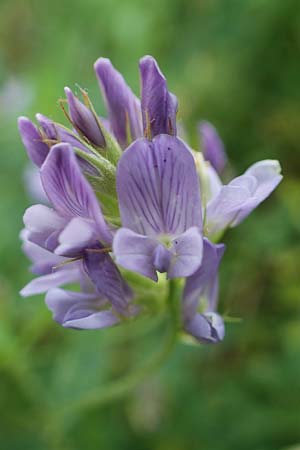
<point>237,64</point>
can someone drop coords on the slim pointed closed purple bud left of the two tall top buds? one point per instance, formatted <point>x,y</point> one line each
<point>84,120</point>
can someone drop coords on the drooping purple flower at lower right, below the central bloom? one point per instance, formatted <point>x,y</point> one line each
<point>202,288</point>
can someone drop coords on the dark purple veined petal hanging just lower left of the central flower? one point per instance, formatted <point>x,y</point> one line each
<point>108,280</point>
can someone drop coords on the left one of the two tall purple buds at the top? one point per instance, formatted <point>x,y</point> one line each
<point>123,106</point>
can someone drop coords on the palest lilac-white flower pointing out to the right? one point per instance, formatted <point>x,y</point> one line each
<point>233,202</point>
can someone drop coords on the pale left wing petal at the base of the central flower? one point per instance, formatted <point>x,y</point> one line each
<point>135,252</point>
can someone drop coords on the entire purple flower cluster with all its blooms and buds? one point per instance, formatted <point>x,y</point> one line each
<point>127,197</point>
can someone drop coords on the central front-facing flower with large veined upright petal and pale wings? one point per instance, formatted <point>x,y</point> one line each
<point>159,200</point>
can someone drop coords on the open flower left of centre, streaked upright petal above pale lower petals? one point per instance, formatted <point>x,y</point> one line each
<point>76,221</point>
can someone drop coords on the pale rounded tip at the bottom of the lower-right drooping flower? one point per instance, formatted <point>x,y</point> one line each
<point>206,328</point>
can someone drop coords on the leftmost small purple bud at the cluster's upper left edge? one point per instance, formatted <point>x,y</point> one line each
<point>32,139</point>
